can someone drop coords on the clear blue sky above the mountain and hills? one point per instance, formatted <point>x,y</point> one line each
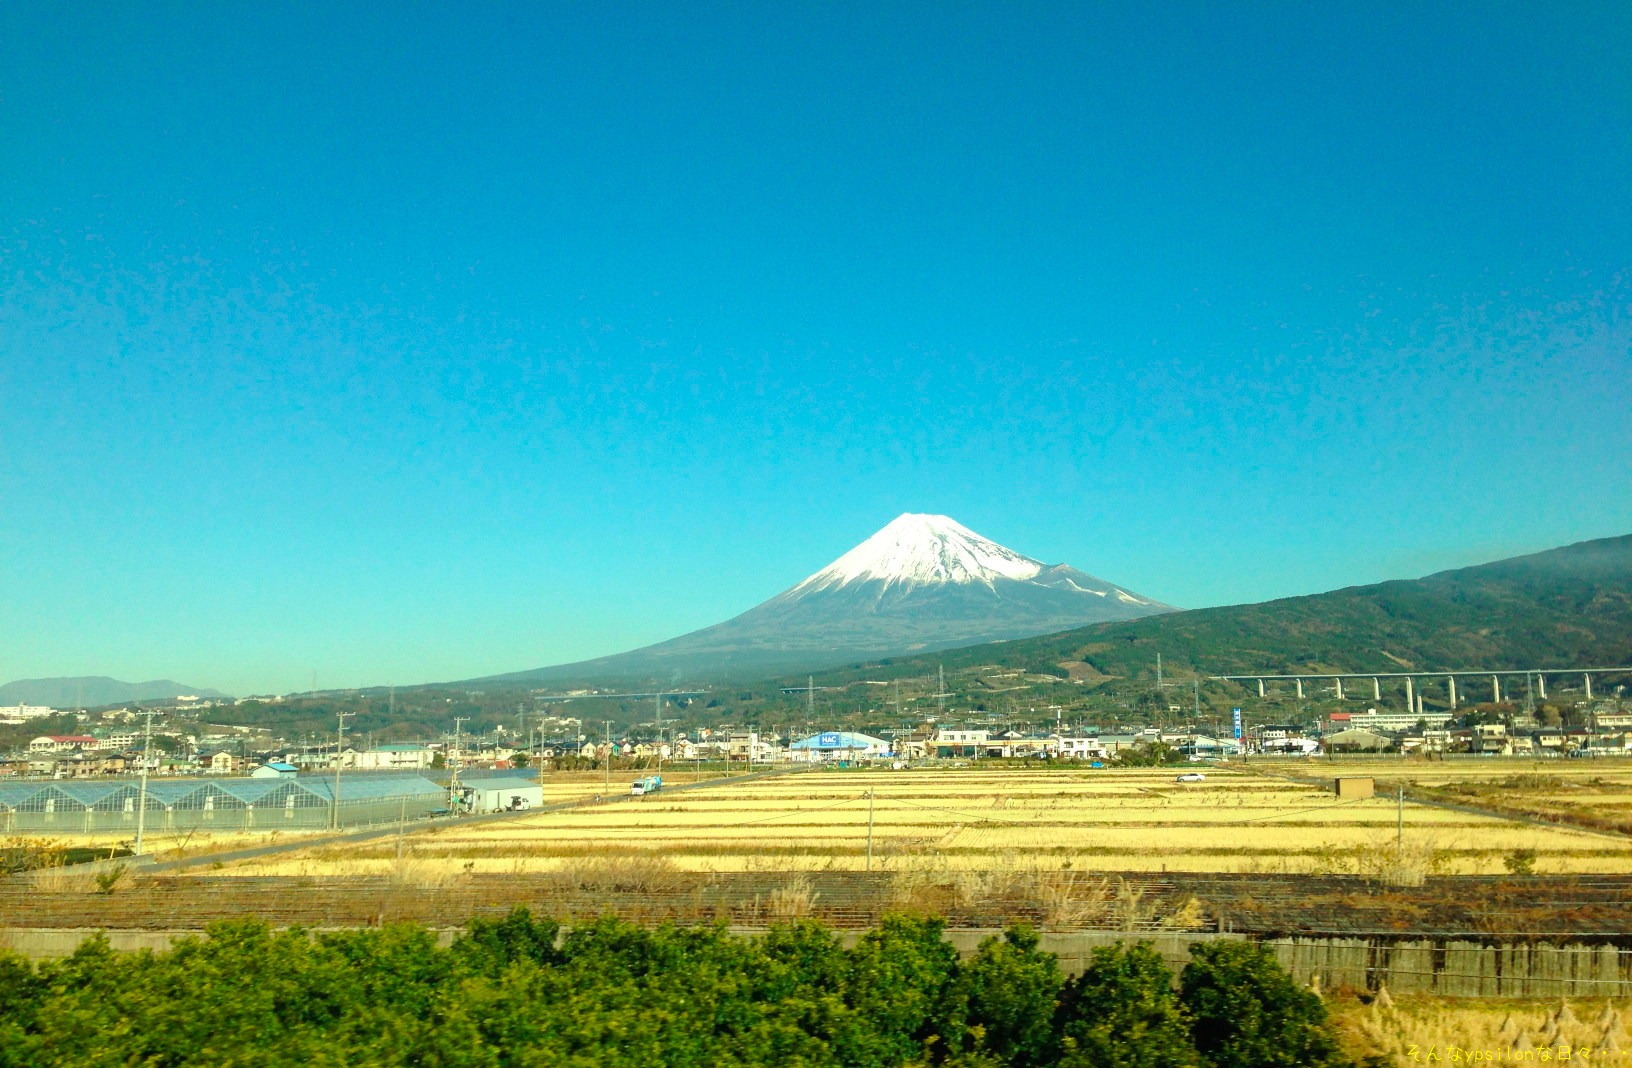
<point>422,342</point>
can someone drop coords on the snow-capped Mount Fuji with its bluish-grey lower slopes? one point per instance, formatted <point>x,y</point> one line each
<point>918,585</point>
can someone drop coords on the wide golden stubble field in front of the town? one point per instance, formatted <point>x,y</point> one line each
<point>988,819</point>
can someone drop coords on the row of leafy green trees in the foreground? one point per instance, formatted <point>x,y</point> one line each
<point>517,992</point>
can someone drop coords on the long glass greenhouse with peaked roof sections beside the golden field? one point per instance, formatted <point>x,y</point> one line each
<point>68,808</point>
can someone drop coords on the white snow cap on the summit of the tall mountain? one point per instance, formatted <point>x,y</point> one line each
<point>918,550</point>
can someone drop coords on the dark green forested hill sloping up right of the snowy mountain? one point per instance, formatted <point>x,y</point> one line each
<point>1561,608</point>
